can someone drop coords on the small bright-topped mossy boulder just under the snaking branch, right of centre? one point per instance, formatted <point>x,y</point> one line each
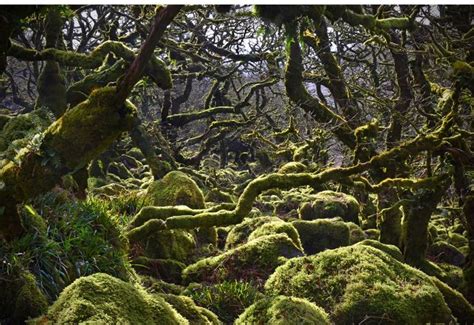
<point>330,204</point>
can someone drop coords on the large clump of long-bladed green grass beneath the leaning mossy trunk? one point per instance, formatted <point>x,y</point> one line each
<point>67,239</point>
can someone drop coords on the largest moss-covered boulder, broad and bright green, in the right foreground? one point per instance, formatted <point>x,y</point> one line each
<point>362,284</point>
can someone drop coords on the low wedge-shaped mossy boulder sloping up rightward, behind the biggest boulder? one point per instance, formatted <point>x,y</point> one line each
<point>253,261</point>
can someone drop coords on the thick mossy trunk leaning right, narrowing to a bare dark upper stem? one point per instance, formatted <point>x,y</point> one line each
<point>77,137</point>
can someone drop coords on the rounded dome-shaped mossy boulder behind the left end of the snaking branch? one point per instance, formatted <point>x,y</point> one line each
<point>176,188</point>
